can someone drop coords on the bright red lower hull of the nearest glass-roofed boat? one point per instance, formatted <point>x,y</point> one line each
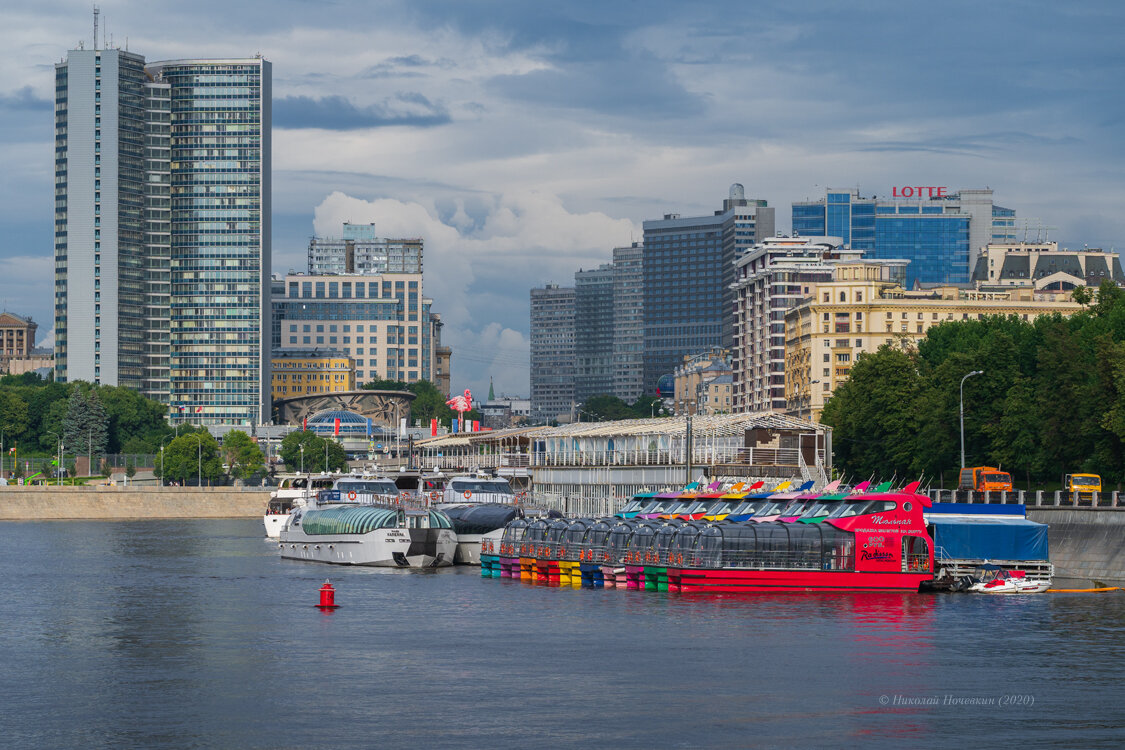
<point>793,581</point>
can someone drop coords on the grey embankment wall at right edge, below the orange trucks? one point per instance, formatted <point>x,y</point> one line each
<point>1087,545</point>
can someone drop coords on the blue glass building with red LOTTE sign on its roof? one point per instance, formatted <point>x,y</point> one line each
<point>939,232</point>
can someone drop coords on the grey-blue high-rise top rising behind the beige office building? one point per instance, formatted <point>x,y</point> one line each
<point>358,250</point>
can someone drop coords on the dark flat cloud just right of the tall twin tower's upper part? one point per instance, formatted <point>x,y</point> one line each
<point>338,113</point>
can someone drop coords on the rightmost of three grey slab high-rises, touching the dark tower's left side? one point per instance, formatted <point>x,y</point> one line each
<point>628,322</point>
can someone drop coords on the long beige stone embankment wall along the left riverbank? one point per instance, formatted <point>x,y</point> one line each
<point>124,503</point>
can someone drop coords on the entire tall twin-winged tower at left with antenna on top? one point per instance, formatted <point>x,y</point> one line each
<point>163,231</point>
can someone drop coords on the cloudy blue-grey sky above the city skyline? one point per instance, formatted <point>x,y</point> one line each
<point>524,141</point>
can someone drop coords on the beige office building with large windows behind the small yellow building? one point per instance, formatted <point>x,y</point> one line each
<point>382,322</point>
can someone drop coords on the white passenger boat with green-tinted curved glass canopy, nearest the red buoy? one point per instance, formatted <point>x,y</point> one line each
<point>364,522</point>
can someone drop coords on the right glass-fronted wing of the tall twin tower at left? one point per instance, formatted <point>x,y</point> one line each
<point>219,359</point>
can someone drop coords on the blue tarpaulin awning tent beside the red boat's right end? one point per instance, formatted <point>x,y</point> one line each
<point>989,539</point>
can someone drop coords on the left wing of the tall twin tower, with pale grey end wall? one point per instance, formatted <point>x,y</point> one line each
<point>100,205</point>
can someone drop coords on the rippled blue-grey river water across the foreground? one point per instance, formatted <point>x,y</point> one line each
<point>195,635</point>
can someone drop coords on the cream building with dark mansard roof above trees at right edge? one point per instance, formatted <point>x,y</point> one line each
<point>1043,266</point>
